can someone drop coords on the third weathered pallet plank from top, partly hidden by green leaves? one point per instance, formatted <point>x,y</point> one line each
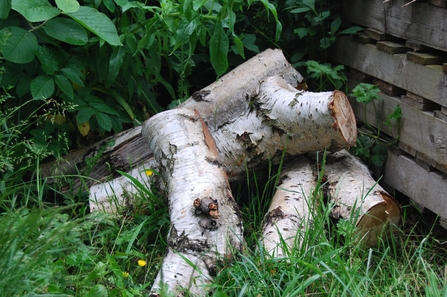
<point>419,131</point>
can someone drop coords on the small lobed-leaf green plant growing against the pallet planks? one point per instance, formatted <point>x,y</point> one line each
<point>371,148</point>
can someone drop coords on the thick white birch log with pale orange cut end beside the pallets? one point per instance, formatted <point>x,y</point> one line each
<point>282,118</point>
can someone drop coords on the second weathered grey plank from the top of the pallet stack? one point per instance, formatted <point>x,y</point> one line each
<point>426,81</point>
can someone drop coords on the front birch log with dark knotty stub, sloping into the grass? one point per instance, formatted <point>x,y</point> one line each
<point>205,220</point>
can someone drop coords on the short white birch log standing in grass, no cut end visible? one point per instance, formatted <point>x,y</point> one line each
<point>291,212</point>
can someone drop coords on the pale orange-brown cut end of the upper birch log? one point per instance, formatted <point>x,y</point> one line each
<point>344,118</point>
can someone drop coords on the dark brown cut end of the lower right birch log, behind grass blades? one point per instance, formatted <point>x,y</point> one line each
<point>379,221</point>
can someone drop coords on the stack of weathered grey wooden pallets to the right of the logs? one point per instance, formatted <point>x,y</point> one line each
<point>403,51</point>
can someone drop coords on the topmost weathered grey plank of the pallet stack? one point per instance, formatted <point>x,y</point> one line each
<point>419,22</point>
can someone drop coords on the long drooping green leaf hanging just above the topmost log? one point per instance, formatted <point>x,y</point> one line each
<point>219,49</point>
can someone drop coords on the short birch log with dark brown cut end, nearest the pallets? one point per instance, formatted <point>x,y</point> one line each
<point>358,196</point>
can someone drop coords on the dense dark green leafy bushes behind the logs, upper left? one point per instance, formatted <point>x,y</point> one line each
<point>133,57</point>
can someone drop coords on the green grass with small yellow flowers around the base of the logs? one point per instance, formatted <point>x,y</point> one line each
<point>50,250</point>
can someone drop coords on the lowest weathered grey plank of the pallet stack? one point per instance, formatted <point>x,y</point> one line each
<point>426,188</point>
